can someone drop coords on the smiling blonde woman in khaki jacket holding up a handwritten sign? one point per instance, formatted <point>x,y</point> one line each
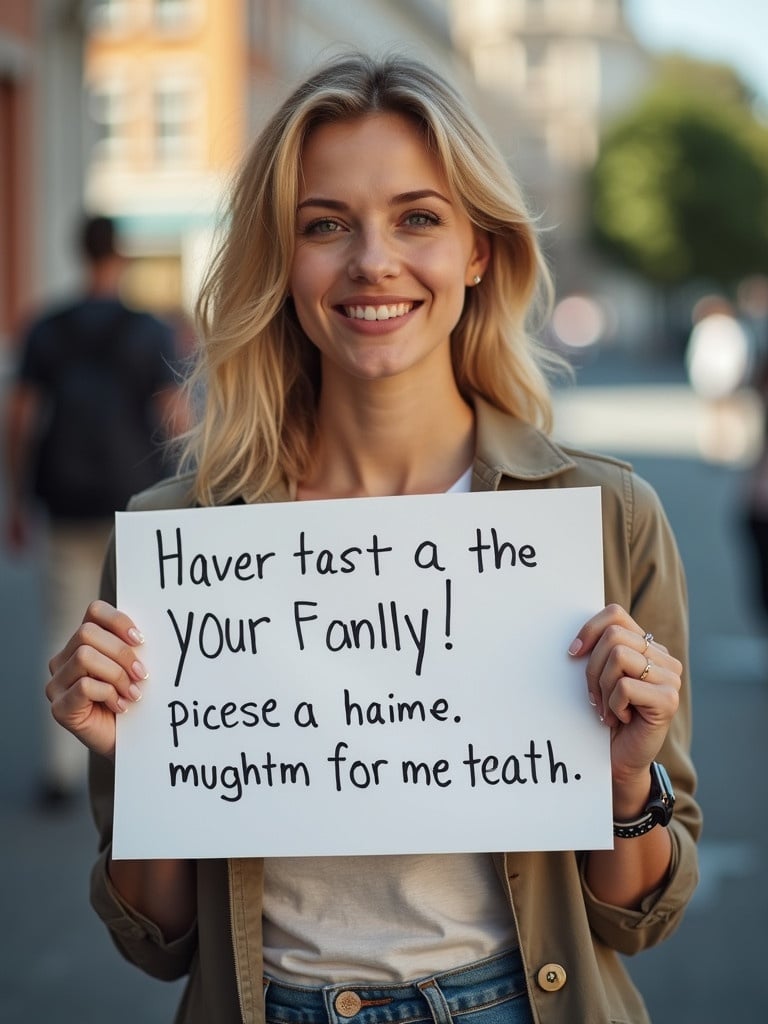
<point>365,333</point>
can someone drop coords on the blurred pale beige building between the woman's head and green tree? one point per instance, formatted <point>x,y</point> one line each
<point>554,73</point>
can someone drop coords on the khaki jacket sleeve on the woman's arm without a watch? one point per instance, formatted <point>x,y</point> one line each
<point>139,940</point>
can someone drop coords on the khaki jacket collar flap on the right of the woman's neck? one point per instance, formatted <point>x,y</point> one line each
<point>508,447</point>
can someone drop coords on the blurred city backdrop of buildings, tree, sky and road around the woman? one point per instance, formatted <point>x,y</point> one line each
<point>639,131</point>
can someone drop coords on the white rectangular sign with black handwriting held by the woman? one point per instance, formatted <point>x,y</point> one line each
<point>365,676</point>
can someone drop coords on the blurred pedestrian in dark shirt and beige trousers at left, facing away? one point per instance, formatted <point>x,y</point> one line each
<point>86,420</point>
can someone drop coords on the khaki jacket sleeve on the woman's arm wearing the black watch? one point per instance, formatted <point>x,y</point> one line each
<point>645,574</point>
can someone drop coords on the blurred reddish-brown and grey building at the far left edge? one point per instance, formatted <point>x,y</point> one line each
<point>41,154</point>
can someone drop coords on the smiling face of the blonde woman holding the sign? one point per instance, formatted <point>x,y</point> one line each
<point>383,250</point>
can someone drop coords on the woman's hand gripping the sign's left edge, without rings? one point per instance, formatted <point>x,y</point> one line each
<point>97,677</point>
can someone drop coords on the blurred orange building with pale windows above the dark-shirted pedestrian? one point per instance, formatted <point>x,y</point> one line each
<point>165,82</point>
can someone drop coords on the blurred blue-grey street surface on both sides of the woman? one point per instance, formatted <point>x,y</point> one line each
<point>59,963</point>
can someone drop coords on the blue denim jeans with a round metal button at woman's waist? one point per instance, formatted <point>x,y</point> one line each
<point>489,992</point>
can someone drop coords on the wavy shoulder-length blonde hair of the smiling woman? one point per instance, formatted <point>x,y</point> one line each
<point>260,372</point>
